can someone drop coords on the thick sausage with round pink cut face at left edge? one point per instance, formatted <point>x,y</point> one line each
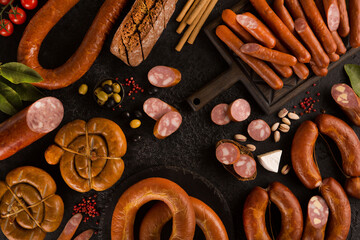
<point>29,125</point>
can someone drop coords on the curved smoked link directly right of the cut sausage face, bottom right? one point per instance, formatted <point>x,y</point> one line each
<point>340,211</point>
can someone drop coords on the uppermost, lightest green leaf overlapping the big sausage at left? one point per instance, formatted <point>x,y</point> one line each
<point>19,73</point>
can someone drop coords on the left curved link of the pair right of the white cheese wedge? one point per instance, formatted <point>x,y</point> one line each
<point>302,150</point>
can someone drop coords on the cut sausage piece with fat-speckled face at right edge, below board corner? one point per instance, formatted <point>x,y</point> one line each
<point>347,99</point>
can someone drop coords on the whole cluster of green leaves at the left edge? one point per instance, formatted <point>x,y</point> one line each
<point>15,87</point>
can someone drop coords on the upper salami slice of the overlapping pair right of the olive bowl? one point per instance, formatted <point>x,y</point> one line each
<point>155,108</point>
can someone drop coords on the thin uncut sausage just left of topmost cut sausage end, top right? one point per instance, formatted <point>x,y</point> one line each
<point>318,25</point>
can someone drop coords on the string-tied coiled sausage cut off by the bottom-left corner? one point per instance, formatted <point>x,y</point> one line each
<point>29,207</point>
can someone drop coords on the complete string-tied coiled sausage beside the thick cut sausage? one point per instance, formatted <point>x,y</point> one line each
<point>89,154</point>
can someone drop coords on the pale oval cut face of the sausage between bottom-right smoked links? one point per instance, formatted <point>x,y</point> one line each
<point>318,212</point>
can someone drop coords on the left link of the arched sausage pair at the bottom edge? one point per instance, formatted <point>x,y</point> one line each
<point>254,215</point>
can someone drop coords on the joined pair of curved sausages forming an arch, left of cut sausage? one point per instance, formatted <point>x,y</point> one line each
<point>255,209</point>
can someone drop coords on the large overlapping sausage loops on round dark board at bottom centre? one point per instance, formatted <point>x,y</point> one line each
<point>185,211</point>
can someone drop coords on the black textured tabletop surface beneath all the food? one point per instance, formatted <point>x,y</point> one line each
<point>190,148</point>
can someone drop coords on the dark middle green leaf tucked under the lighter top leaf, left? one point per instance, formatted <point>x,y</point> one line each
<point>26,91</point>
